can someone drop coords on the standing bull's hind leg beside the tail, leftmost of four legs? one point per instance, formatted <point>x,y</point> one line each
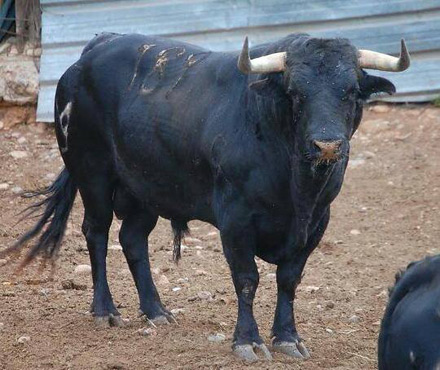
<point>97,199</point>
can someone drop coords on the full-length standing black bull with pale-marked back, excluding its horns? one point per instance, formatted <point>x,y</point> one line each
<point>151,127</point>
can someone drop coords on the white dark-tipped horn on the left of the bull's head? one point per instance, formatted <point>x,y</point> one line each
<point>266,64</point>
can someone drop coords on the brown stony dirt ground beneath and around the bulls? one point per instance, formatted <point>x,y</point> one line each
<point>385,217</point>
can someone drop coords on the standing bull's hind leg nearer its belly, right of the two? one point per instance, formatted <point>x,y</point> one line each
<point>134,240</point>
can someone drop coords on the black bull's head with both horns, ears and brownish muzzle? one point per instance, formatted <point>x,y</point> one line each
<point>324,82</point>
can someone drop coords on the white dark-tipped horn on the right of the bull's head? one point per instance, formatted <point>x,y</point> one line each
<point>374,60</point>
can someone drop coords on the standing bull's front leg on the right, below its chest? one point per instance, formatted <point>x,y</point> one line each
<point>284,333</point>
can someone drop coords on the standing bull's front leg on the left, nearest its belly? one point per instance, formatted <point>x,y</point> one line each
<point>239,250</point>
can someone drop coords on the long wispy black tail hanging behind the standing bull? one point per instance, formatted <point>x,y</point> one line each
<point>58,202</point>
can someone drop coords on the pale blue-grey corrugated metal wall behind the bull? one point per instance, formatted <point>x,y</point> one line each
<point>222,25</point>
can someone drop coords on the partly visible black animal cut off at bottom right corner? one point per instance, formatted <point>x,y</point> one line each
<point>410,333</point>
